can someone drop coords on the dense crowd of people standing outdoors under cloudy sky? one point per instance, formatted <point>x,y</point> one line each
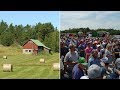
<point>84,57</point>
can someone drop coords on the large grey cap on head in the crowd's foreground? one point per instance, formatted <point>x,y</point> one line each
<point>94,71</point>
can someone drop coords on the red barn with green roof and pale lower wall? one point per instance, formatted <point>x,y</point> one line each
<point>34,46</point>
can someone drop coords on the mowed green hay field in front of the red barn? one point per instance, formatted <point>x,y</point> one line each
<point>27,66</point>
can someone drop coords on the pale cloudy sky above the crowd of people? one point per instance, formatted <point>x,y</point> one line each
<point>91,19</point>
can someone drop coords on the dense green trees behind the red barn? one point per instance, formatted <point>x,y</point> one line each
<point>19,34</point>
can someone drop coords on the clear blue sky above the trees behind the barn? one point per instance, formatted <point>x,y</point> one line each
<point>30,17</point>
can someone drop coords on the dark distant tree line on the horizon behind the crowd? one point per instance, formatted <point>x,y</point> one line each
<point>85,30</point>
